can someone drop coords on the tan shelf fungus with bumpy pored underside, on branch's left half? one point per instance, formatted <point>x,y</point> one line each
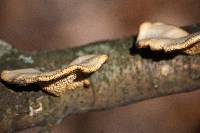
<point>58,81</point>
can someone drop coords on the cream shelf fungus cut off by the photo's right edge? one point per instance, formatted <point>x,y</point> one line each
<point>169,38</point>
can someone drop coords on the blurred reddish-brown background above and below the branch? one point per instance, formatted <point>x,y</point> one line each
<point>51,24</point>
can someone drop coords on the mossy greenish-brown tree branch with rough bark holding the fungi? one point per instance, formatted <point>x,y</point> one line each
<point>130,75</point>
